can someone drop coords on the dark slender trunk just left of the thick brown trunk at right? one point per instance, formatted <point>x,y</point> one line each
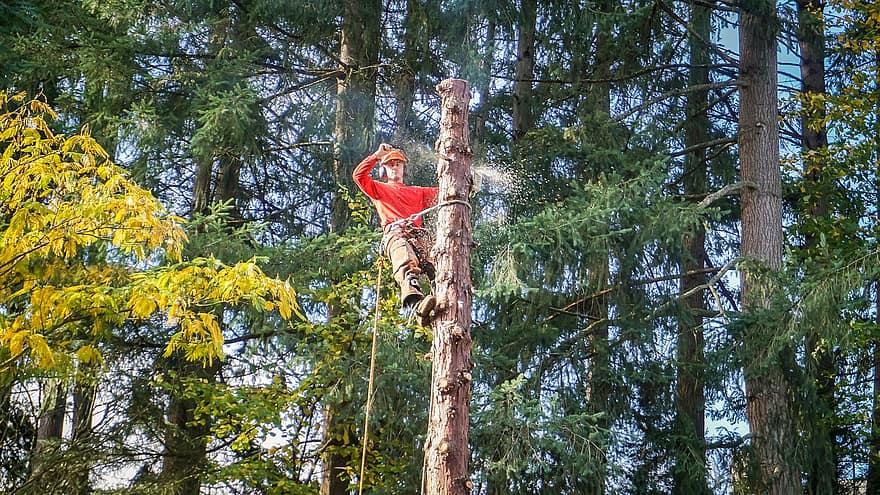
<point>690,466</point>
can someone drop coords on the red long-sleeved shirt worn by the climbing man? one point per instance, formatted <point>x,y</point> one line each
<point>393,201</point>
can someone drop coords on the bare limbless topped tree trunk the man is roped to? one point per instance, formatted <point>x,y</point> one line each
<point>446,449</point>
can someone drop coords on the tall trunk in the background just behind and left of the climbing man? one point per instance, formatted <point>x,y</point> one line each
<point>355,116</point>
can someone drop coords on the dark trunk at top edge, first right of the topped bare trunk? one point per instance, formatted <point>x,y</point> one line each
<point>523,113</point>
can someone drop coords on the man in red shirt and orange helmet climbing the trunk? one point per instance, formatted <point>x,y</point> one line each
<point>404,240</point>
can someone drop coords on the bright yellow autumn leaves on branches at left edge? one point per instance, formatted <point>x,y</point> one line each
<point>62,195</point>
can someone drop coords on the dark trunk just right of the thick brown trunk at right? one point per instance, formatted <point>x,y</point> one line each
<point>822,465</point>
